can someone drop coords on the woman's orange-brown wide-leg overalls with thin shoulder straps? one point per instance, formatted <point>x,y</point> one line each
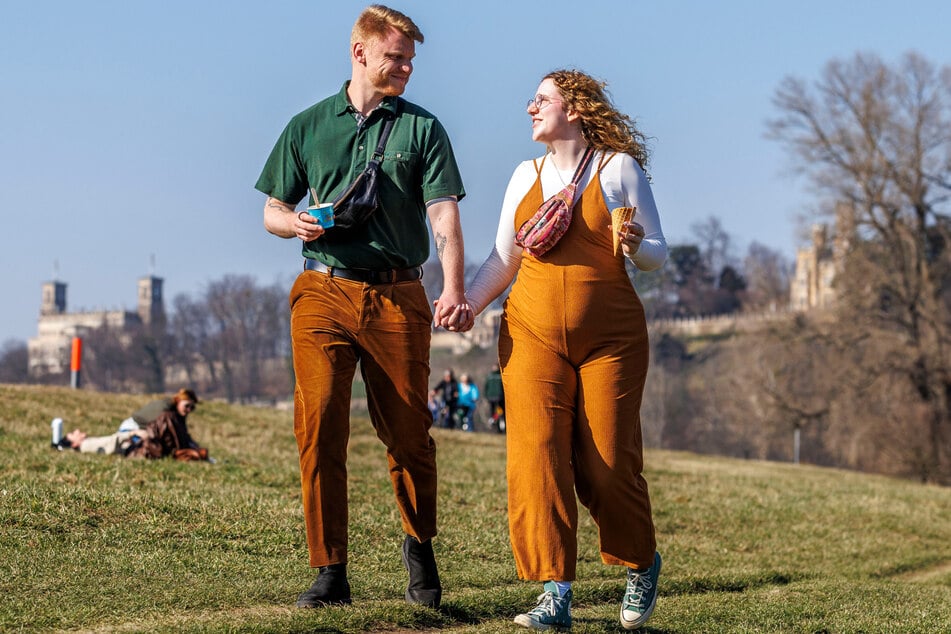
<point>574,353</point>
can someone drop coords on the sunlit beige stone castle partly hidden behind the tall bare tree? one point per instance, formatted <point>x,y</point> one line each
<point>813,284</point>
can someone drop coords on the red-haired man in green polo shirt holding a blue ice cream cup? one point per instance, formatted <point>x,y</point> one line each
<point>360,298</point>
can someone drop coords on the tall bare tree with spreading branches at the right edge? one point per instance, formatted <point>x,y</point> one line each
<point>878,137</point>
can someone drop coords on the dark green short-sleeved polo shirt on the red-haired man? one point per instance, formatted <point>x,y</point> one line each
<point>325,148</point>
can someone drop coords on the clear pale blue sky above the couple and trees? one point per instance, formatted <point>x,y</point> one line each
<point>133,131</point>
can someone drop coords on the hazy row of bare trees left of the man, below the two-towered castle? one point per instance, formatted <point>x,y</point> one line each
<point>230,341</point>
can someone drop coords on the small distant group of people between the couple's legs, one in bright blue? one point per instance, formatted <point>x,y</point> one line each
<point>454,402</point>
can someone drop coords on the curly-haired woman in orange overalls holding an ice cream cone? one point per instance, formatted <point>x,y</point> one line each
<point>574,351</point>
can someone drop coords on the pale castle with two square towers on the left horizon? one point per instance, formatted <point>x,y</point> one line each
<point>49,351</point>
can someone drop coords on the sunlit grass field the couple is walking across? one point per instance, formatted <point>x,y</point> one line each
<point>100,543</point>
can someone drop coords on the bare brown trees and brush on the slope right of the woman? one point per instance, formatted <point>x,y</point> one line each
<point>866,383</point>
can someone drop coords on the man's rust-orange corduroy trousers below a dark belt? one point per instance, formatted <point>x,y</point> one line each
<point>335,324</point>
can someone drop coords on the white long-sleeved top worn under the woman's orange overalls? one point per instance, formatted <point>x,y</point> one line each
<point>623,184</point>
